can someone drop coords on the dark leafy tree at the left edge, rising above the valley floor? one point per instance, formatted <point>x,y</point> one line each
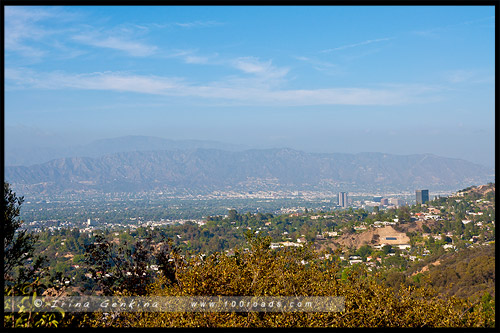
<point>18,244</point>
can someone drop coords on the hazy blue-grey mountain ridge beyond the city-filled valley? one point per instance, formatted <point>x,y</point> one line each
<point>205,170</point>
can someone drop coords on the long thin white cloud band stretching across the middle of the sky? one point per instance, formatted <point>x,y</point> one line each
<point>217,91</point>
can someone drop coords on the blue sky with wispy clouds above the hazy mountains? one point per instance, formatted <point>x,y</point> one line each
<point>401,80</point>
